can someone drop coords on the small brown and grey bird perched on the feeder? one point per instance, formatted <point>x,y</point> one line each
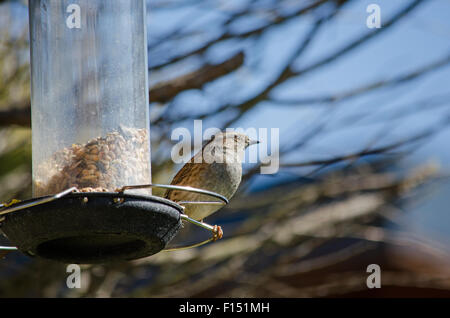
<point>217,167</point>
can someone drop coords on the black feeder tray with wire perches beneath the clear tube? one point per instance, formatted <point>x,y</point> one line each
<point>97,227</point>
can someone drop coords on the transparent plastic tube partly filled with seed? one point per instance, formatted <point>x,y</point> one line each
<point>89,95</point>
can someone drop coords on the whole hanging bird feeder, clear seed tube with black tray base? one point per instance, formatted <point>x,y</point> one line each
<point>90,138</point>
